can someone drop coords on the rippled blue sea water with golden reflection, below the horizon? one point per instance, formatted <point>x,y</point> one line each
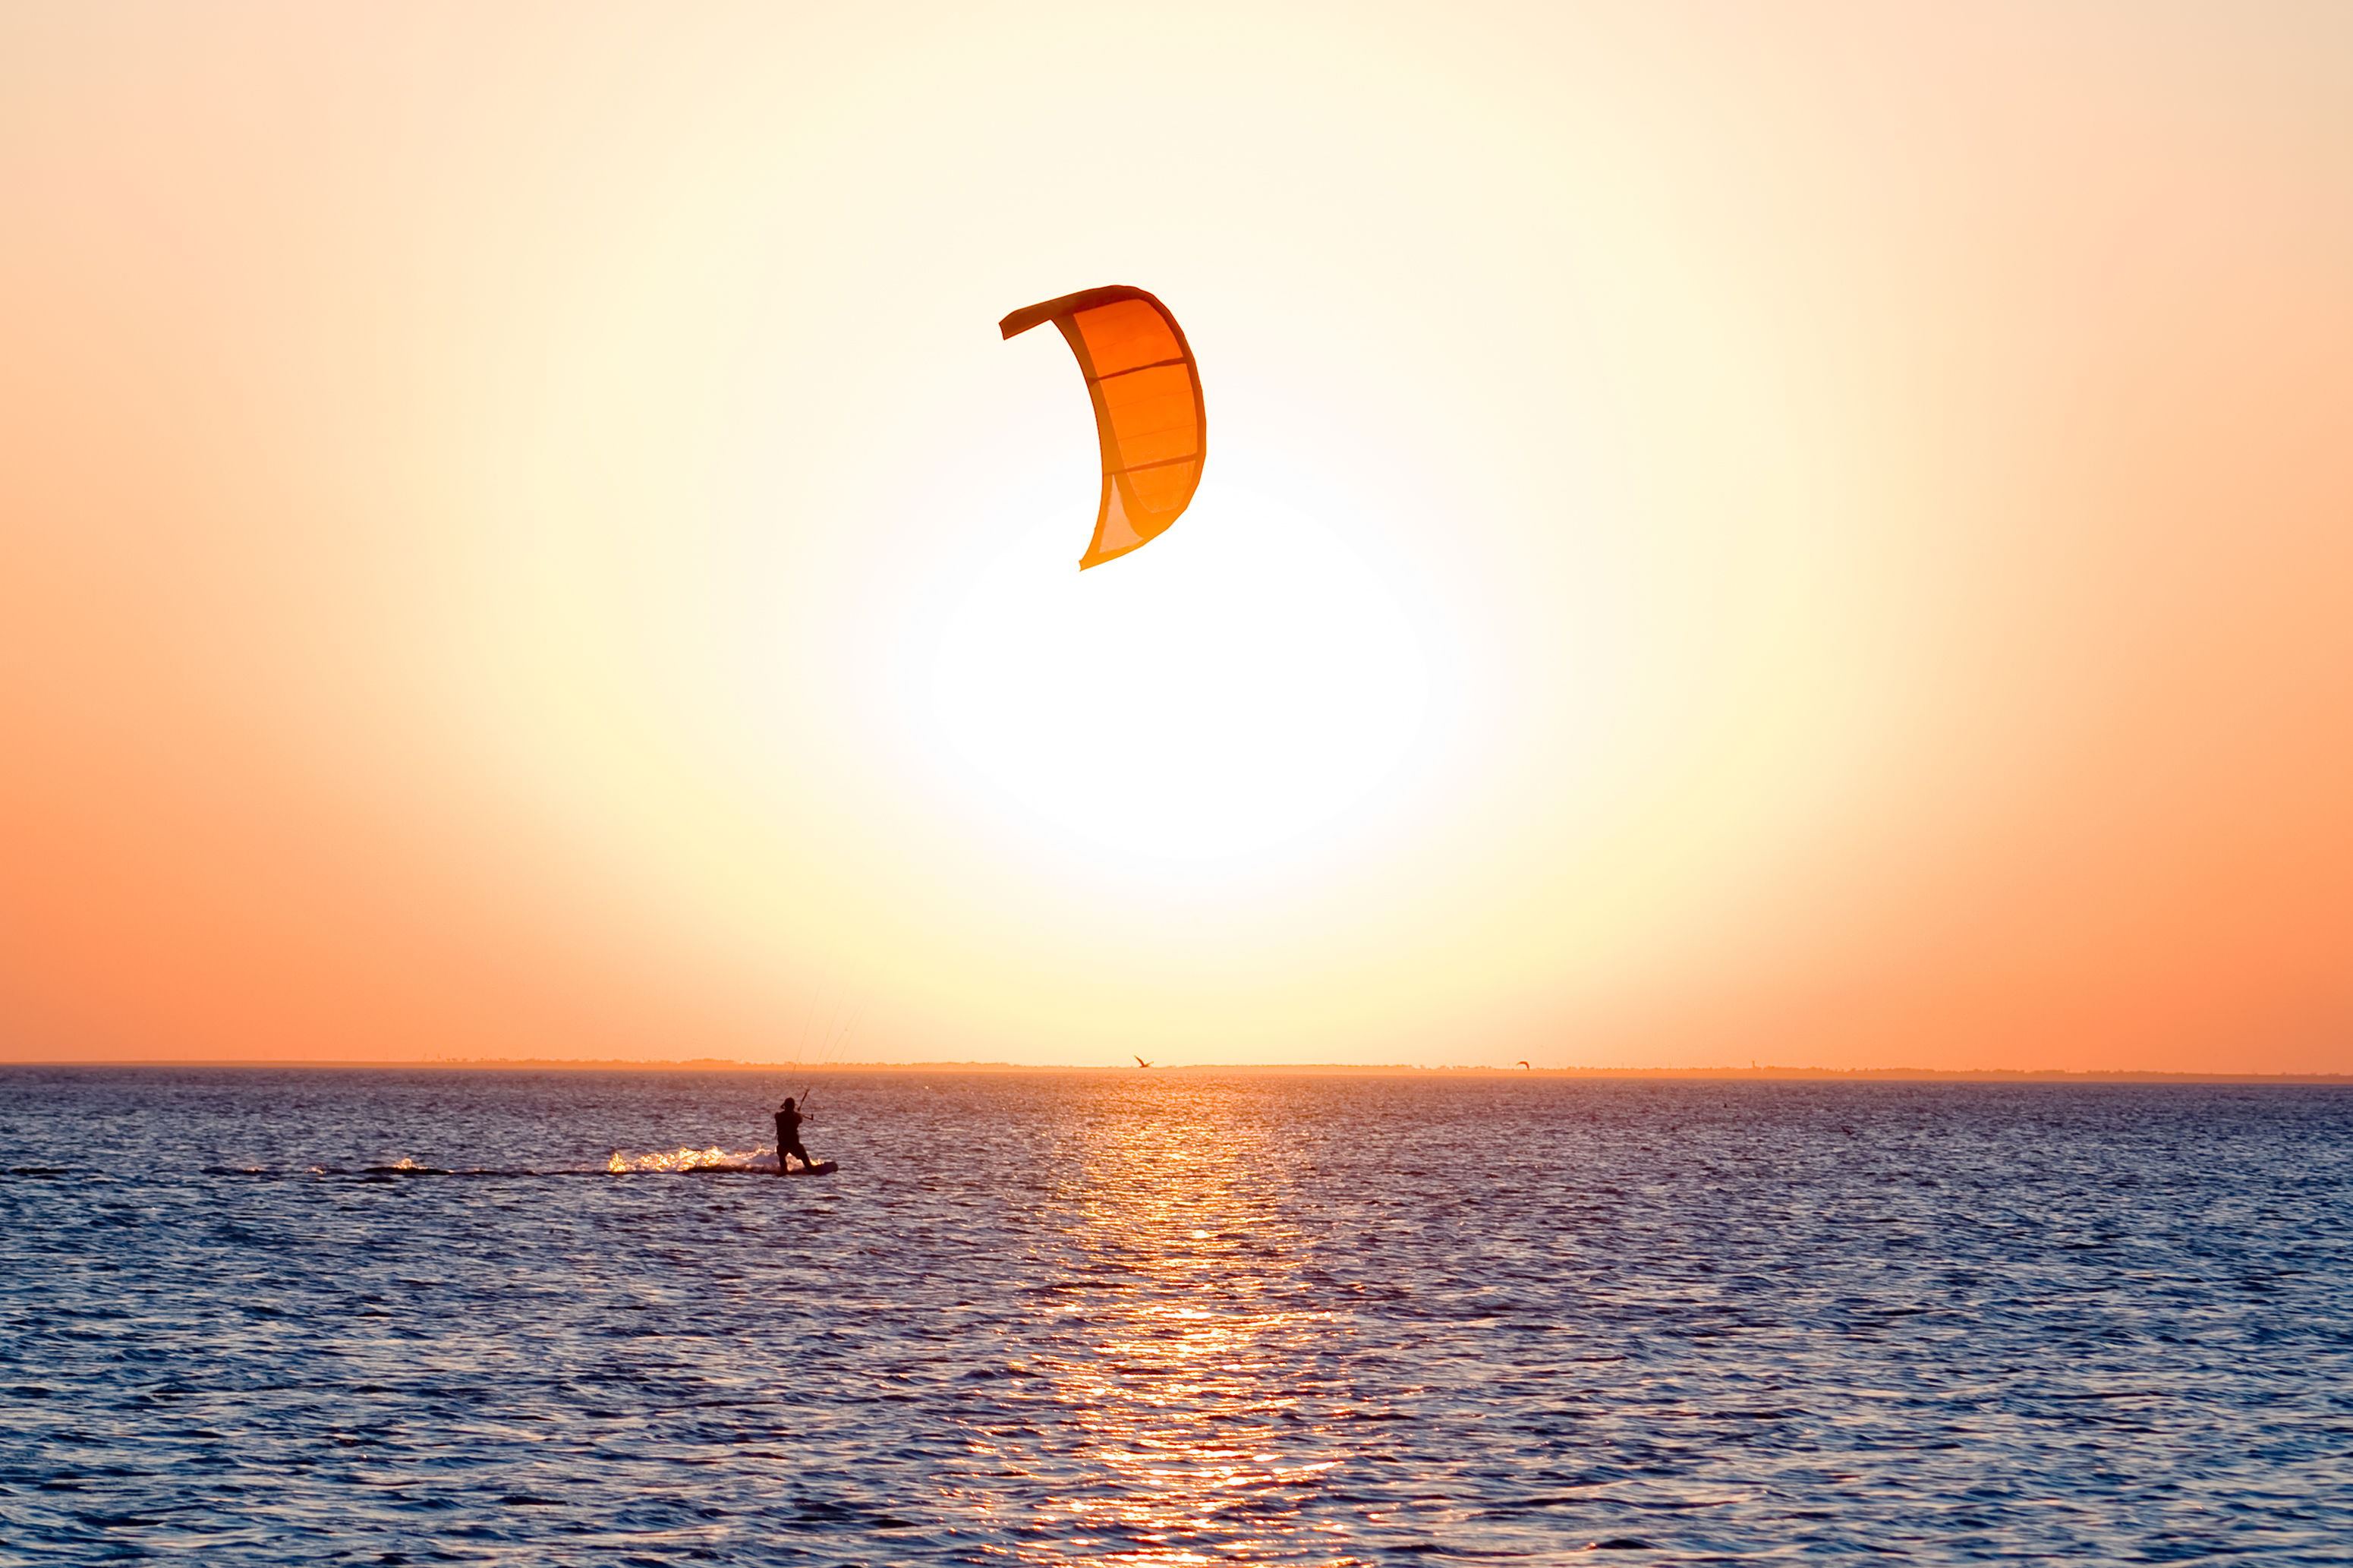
<point>1154,1320</point>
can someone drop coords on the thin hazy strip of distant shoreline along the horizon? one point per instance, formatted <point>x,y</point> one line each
<point>1232,1070</point>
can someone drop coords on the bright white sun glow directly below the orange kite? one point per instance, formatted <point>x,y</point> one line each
<point>1246,691</point>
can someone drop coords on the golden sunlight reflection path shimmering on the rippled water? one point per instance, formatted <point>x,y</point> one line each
<point>1187,1280</point>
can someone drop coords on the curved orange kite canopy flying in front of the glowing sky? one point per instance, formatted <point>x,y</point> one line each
<point>1147,408</point>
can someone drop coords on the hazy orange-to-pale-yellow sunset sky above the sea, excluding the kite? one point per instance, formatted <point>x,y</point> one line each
<point>1808,533</point>
